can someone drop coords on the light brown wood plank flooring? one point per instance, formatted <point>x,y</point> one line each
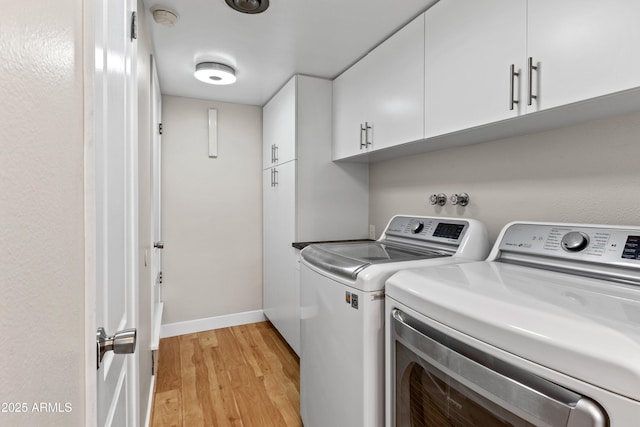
<point>243,376</point>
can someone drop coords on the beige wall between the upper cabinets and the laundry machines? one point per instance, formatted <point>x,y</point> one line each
<point>583,173</point>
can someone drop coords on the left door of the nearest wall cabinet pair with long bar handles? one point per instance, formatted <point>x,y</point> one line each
<point>469,49</point>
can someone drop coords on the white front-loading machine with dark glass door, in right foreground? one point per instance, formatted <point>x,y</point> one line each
<point>545,332</point>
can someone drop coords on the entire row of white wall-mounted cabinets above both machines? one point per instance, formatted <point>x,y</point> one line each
<point>489,70</point>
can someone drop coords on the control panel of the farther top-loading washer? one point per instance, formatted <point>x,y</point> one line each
<point>427,229</point>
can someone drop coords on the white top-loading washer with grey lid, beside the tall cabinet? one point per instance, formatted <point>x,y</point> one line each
<point>342,312</point>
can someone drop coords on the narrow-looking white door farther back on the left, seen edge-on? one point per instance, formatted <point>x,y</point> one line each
<point>156,203</point>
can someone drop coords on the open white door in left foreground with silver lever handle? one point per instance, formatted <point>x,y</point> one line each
<point>115,118</point>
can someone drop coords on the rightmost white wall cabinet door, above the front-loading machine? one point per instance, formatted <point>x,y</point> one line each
<point>583,49</point>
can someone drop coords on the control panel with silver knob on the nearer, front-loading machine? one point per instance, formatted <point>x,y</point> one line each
<point>615,245</point>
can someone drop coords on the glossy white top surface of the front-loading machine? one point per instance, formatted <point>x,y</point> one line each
<point>585,328</point>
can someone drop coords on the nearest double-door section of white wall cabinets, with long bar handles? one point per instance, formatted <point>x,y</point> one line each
<point>493,60</point>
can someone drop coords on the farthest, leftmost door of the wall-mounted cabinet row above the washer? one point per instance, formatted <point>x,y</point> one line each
<point>350,104</point>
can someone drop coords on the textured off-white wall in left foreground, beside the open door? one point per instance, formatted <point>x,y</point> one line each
<point>42,281</point>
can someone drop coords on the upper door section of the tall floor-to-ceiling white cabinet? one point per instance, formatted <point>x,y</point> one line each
<point>279,126</point>
